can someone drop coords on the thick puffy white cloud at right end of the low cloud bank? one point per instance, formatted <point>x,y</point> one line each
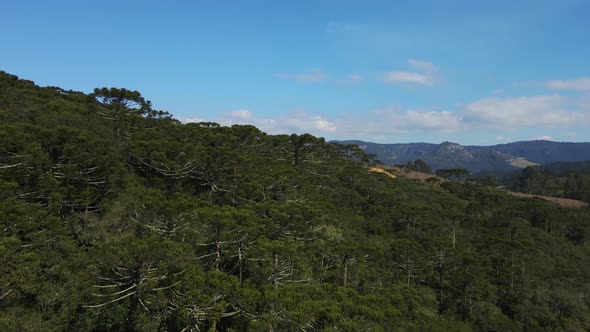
<point>530,111</point>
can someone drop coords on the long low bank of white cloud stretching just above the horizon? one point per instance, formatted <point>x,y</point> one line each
<point>500,115</point>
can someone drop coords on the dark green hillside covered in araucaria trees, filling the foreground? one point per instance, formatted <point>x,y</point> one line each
<point>116,217</point>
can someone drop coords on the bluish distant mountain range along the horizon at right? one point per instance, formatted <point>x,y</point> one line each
<point>478,159</point>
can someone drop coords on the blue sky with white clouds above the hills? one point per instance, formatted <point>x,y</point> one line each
<point>473,72</point>
